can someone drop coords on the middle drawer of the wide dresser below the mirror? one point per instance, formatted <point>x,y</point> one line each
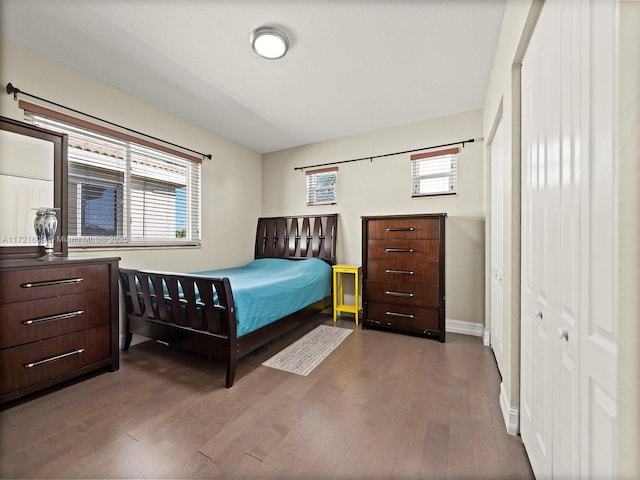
<point>48,317</point>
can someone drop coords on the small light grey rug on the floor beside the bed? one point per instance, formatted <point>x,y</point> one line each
<point>306,354</point>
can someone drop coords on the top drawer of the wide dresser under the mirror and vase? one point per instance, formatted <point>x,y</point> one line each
<point>32,284</point>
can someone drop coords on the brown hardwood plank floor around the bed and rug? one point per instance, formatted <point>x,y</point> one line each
<point>382,405</point>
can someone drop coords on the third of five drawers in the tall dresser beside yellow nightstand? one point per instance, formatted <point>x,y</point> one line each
<point>403,271</point>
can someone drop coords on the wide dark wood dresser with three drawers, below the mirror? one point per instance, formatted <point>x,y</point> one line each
<point>58,320</point>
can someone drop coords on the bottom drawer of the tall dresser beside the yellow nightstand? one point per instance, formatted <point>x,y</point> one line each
<point>403,317</point>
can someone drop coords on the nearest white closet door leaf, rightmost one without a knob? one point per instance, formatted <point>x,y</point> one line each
<point>598,330</point>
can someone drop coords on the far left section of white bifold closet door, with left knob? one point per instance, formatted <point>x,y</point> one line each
<point>538,237</point>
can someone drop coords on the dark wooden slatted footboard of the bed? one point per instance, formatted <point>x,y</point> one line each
<point>189,311</point>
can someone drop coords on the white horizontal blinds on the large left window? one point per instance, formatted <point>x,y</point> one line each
<point>121,193</point>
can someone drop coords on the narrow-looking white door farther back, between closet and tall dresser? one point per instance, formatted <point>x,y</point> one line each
<point>497,245</point>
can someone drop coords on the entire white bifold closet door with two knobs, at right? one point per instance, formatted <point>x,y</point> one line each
<point>568,345</point>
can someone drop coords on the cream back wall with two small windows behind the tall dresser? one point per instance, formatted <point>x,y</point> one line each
<point>382,187</point>
